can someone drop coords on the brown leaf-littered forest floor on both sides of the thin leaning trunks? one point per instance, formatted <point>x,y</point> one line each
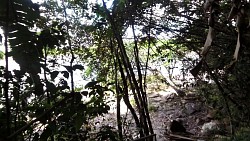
<point>164,107</point>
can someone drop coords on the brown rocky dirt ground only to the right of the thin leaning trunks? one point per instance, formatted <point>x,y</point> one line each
<point>168,107</point>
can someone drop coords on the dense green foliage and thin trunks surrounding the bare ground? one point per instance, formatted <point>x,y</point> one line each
<point>53,40</point>
